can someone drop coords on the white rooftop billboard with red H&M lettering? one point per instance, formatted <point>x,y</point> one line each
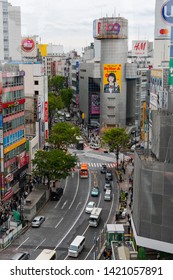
<point>140,48</point>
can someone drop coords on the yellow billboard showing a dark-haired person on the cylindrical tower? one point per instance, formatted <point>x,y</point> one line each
<point>112,75</point>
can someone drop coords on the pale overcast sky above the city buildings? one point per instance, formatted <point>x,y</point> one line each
<point>70,22</point>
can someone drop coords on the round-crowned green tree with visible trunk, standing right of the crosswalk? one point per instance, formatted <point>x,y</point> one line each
<point>116,138</point>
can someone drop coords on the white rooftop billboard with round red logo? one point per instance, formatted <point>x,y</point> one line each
<point>29,47</point>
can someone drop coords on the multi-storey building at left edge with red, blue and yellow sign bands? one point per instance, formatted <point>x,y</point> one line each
<point>14,159</point>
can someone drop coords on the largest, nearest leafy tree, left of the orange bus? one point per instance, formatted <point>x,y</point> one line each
<point>53,164</point>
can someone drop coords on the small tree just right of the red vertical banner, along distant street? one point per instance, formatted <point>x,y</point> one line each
<point>54,102</point>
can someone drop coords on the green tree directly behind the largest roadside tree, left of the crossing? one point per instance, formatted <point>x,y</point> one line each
<point>63,134</point>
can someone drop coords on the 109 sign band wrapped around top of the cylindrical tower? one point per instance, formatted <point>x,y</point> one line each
<point>110,28</point>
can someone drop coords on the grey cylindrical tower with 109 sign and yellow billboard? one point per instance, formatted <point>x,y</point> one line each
<point>113,35</point>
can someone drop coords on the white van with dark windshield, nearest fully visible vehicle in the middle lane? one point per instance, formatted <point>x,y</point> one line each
<point>76,246</point>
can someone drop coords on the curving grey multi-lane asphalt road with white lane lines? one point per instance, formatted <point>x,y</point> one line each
<point>67,218</point>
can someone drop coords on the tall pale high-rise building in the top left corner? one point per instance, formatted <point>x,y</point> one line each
<point>10,31</point>
